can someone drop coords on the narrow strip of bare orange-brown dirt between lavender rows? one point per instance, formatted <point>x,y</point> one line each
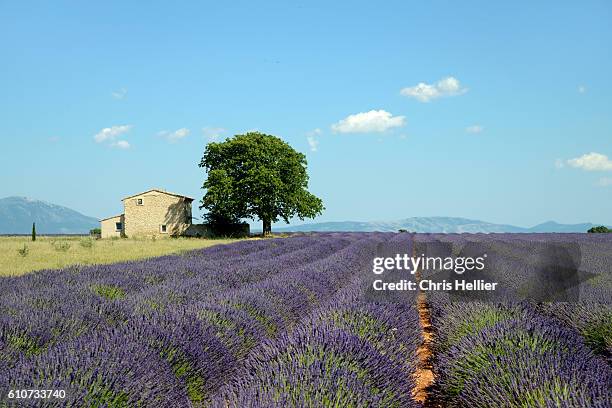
<point>423,375</point>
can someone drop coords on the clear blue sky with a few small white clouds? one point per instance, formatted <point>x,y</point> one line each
<point>499,112</point>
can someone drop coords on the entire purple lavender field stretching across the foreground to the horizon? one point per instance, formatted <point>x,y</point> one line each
<point>292,323</point>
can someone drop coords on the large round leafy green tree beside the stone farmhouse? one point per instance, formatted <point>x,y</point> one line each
<point>257,175</point>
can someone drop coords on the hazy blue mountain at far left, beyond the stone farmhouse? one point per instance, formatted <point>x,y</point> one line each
<point>18,213</point>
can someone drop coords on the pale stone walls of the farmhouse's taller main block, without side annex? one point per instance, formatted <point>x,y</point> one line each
<point>157,209</point>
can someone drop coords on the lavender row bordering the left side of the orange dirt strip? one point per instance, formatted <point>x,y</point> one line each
<point>354,350</point>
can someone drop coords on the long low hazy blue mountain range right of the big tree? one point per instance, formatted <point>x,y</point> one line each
<point>434,224</point>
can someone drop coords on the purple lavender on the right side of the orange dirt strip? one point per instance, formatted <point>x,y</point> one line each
<point>519,347</point>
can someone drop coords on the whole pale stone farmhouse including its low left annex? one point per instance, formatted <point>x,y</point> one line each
<point>153,212</point>
